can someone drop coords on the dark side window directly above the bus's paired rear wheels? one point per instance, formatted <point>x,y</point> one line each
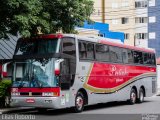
<point>138,58</point>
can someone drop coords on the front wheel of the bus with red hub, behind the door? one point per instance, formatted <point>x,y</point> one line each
<point>79,102</point>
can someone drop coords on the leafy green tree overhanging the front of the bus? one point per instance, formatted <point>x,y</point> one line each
<point>24,16</point>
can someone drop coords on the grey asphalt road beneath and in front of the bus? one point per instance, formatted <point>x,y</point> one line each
<point>149,110</point>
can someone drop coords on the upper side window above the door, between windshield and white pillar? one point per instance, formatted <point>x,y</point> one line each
<point>68,46</point>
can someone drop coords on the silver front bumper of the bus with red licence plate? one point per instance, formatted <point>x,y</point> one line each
<point>39,102</point>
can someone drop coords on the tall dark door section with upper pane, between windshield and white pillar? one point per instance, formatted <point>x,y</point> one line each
<point>68,66</point>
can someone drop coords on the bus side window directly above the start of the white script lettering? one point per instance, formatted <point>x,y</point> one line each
<point>115,54</point>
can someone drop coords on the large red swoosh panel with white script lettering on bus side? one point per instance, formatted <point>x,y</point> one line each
<point>110,75</point>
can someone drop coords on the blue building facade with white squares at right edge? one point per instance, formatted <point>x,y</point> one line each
<point>153,25</point>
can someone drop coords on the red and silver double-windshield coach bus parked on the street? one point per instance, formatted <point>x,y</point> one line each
<point>70,71</point>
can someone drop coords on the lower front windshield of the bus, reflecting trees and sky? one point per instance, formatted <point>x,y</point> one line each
<point>34,73</point>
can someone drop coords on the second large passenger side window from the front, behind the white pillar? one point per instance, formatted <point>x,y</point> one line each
<point>102,52</point>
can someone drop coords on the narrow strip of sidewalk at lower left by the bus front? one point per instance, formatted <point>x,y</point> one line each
<point>17,109</point>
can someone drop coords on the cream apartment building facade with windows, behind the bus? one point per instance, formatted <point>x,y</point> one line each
<point>128,16</point>
